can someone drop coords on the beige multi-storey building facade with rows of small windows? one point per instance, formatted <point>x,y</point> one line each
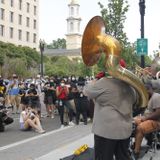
<point>19,23</point>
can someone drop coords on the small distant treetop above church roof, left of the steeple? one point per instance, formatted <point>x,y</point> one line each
<point>57,44</point>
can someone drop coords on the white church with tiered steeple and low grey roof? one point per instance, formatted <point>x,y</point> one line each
<point>73,36</point>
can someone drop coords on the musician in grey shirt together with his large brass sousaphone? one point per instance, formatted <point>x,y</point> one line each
<point>114,97</point>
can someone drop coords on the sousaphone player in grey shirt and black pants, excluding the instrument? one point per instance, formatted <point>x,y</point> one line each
<point>112,122</point>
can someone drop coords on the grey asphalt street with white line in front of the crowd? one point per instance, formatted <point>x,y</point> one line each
<point>54,144</point>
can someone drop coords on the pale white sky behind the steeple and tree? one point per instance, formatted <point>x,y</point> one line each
<point>53,15</point>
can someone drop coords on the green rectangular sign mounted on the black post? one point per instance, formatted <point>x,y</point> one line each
<point>142,46</point>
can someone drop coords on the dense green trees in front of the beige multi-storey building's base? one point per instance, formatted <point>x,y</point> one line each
<point>18,59</point>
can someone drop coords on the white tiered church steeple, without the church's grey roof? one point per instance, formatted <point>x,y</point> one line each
<point>73,36</point>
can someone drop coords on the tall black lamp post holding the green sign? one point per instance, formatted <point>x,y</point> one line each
<point>142,13</point>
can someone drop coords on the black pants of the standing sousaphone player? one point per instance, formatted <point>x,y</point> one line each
<point>105,148</point>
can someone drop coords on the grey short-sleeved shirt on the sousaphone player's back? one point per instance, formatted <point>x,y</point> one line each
<point>113,107</point>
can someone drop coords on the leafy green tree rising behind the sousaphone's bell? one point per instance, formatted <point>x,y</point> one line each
<point>114,16</point>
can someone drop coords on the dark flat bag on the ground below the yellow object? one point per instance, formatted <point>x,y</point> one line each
<point>87,155</point>
